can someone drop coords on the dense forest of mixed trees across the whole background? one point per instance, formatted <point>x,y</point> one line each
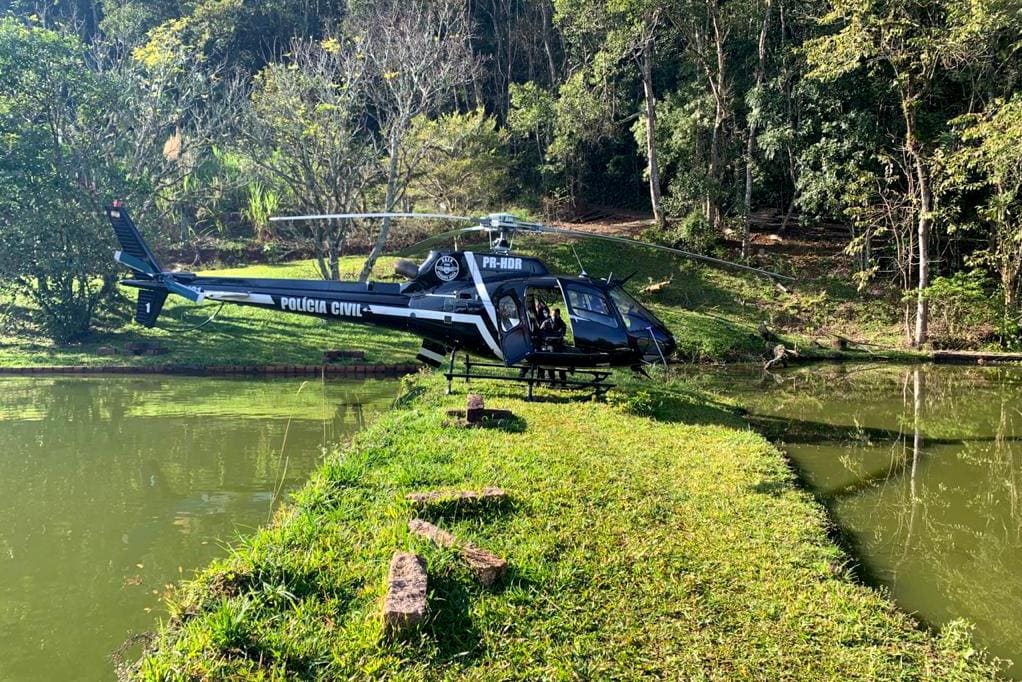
<point>899,120</point>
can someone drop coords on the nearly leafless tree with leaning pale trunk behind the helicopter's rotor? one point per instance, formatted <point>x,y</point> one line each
<point>417,55</point>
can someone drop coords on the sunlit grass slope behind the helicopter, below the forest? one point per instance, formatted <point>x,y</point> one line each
<point>714,314</point>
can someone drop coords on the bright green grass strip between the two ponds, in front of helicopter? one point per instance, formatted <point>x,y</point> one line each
<point>654,536</point>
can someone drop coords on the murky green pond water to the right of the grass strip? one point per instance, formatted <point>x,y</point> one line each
<point>922,469</point>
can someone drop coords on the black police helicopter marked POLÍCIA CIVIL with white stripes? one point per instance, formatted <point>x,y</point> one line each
<point>488,304</point>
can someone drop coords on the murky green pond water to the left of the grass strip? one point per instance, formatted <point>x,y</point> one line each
<point>113,487</point>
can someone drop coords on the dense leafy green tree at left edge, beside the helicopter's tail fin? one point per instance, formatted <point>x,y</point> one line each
<point>53,179</point>
